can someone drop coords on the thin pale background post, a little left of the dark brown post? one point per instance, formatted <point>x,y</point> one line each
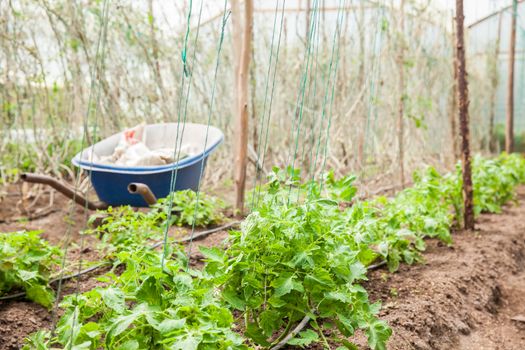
<point>401,110</point>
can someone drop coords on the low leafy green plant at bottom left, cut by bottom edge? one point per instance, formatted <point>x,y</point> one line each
<point>145,307</point>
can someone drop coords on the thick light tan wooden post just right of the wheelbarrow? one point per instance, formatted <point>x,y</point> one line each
<point>242,107</point>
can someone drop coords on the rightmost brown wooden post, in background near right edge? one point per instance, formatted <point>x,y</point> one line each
<point>509,127</point>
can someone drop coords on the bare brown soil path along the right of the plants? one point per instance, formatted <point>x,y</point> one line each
<point>470,296</point>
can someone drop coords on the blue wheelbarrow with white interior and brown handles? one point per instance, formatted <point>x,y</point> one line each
<point>140,186</point>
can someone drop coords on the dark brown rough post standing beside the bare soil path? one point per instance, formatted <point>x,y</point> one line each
<point>463,100</point>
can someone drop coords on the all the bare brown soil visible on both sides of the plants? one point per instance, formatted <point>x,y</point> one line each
<point>468,296</point>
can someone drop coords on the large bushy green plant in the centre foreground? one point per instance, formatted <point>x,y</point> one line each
<point>290,260</point>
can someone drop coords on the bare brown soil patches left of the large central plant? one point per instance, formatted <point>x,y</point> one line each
<point>20,318</point>
